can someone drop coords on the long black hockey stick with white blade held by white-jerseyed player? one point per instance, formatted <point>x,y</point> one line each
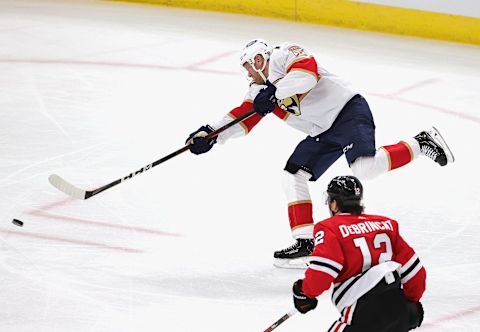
<point>75,192</point>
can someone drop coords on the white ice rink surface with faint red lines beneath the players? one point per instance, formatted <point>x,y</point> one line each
<point>95,90</point>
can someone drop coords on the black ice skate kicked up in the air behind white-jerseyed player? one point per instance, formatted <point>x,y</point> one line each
<point>434,147</point>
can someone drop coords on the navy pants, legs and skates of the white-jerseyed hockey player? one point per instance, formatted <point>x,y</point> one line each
<point>352,134</point>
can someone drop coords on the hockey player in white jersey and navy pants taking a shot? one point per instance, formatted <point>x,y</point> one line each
<point>288,82</point>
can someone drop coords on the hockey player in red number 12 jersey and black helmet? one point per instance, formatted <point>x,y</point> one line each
<point>378,279</point>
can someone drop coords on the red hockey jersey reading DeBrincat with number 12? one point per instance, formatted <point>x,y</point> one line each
<point>354,252</point>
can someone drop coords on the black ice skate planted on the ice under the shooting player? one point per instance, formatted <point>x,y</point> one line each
<point>295,256</point>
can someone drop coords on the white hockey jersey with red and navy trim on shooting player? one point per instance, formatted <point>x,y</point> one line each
<point>295,72</point>
